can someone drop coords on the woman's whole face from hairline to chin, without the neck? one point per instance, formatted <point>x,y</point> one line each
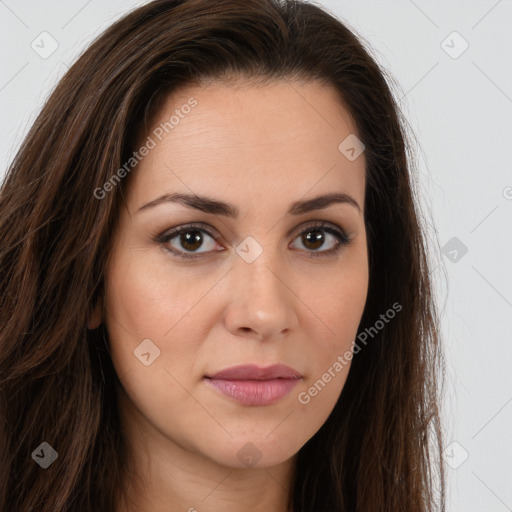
<point>265,286</point>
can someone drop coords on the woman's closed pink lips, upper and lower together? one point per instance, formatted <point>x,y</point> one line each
<point>255,386</point>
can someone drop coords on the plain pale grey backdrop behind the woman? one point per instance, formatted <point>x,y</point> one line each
<point>460,108</point>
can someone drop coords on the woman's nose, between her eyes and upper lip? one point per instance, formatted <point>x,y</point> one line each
<point>261,303</point>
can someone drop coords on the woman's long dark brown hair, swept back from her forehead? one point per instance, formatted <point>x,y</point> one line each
<point>380,448</point>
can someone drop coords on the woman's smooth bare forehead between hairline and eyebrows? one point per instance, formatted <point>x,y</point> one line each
<point>231,137</point>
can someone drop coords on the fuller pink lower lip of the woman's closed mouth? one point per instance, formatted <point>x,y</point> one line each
<point>254,392</point>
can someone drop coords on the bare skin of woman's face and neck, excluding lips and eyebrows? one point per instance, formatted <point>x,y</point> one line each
<point>259,148</point>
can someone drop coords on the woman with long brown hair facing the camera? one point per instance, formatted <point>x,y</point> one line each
<point>215,289</point>
